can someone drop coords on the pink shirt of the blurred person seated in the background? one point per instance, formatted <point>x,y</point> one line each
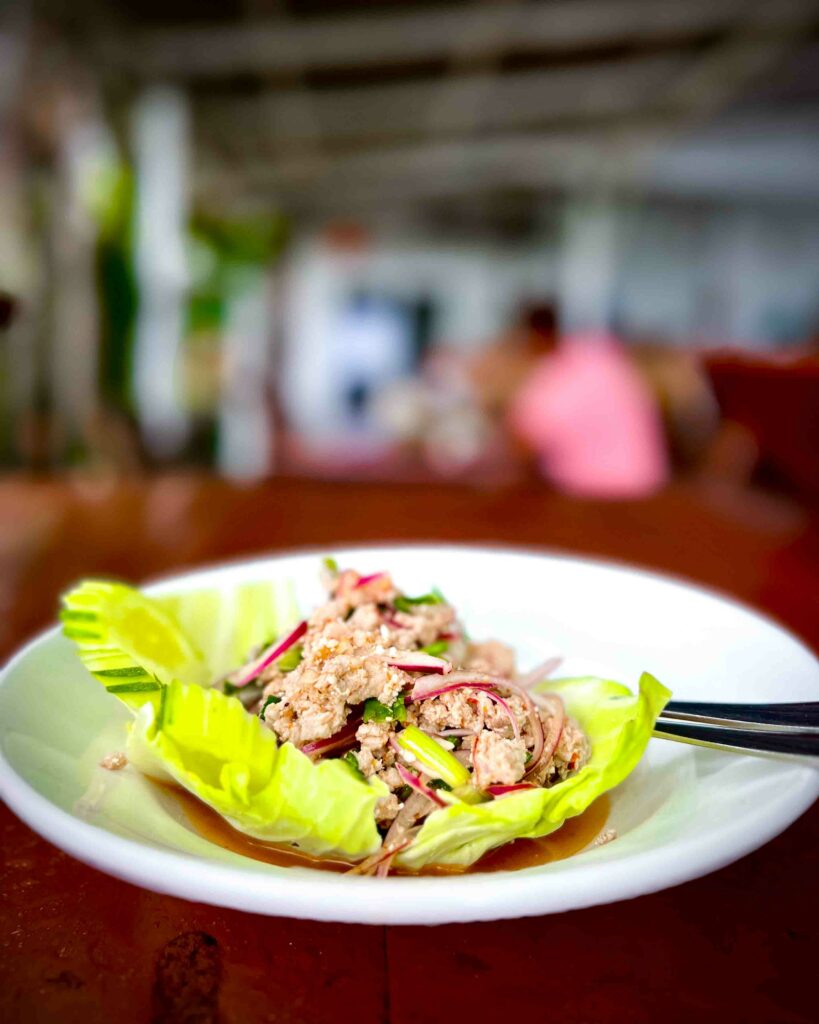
<point>591,420</point>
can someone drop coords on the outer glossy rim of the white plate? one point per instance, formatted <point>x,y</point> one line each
<point>425,901</point>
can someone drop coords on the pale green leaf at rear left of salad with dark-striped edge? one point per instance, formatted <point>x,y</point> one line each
<point>136,645</point>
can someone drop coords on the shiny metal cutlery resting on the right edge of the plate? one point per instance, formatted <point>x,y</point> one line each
<point>785,732</point>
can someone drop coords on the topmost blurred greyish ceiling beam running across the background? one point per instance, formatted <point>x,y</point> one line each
<point>285,47</point>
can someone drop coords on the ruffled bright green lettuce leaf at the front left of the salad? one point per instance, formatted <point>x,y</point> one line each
<point>209,745</point>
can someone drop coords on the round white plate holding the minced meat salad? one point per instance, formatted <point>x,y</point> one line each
<point>683,814</point>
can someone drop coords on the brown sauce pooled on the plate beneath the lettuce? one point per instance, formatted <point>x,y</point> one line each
<point>575,836</point>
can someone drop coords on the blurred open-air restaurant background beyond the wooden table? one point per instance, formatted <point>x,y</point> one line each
<point>574,241</point>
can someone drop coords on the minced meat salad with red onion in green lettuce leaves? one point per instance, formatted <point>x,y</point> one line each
<point>376,732</point>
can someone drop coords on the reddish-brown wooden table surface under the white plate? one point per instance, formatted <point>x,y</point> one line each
<point>77,946</point>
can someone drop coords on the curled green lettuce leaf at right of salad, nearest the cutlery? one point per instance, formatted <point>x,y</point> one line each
<point>619,726</point>
